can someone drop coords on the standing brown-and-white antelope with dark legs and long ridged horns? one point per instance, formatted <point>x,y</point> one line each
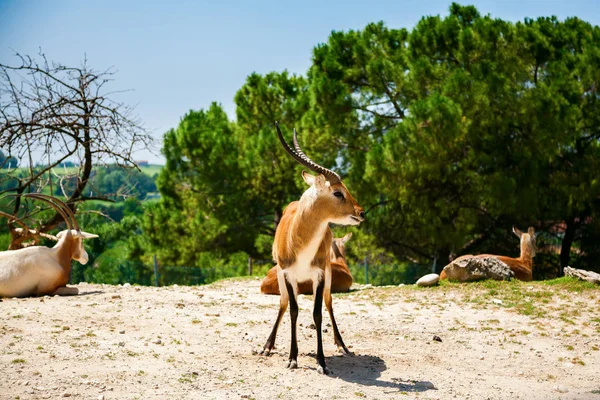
<point>302,248</point>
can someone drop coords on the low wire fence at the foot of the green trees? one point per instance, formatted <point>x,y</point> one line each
<point>124,271</point>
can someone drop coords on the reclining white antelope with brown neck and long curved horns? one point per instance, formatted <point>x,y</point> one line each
<point>39,270</point>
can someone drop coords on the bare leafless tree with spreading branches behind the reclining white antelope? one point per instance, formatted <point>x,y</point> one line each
<point>50,113</point>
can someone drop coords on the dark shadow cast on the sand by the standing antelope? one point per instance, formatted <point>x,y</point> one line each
<point>366,370</point>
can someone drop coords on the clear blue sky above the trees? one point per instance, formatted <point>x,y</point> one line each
<point>182,55</point>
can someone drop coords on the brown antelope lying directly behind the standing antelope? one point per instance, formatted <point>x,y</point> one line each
<point>341,278</point>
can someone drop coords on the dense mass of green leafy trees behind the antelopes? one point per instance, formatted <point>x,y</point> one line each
<point>447,134</point>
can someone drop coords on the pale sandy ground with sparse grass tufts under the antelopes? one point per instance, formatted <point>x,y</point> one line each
<point>127,342</point>
